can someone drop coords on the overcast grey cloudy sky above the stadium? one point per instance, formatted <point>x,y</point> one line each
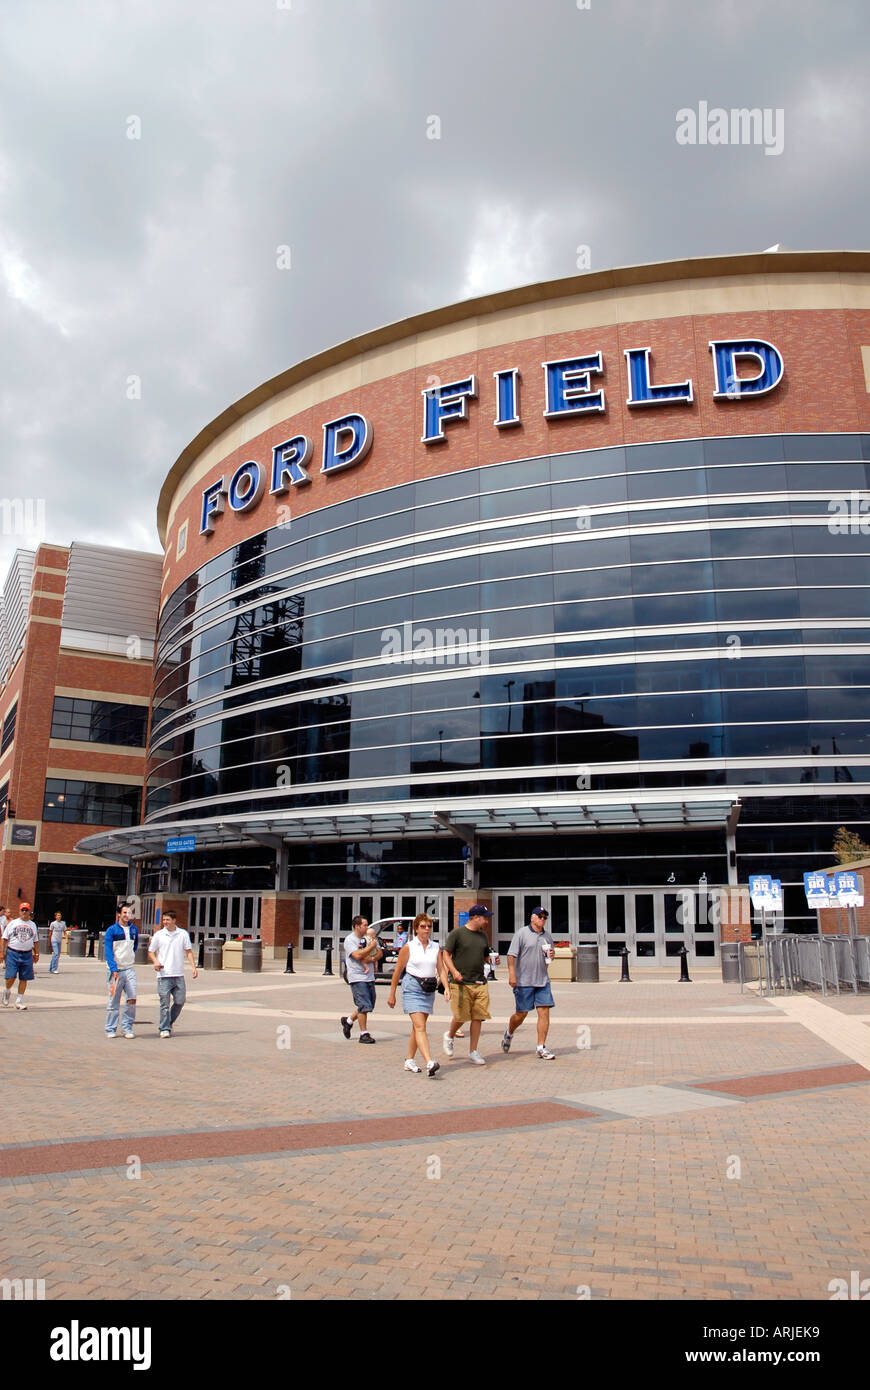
<point>266,124</point>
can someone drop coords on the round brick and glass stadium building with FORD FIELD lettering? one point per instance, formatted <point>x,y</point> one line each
<point>561,594</point>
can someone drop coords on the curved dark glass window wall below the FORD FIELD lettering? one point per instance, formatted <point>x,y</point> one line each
<point>676,605</point>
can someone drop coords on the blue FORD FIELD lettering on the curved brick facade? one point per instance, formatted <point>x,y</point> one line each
<point>571,390</point>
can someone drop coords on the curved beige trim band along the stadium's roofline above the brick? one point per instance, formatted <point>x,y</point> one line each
<point>718,284</point>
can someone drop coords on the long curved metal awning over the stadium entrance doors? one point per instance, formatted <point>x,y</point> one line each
<point>550,814</point>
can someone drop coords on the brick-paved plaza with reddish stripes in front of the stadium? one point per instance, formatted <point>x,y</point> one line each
<point>705,1146</point>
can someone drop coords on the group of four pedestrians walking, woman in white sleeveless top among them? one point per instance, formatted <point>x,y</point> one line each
<point>459,971</point>
